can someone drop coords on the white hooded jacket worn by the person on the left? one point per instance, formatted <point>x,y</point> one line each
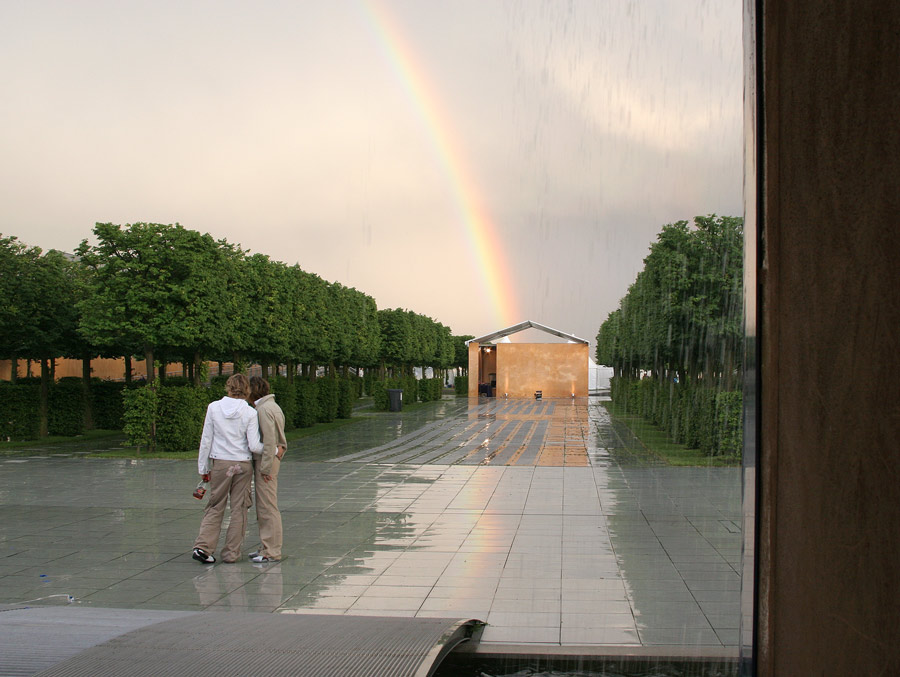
<point>230,432</point>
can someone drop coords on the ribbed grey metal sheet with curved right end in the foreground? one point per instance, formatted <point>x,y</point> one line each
<point>274,644</point>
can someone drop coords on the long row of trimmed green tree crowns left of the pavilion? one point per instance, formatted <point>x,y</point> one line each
<point>171,294</point>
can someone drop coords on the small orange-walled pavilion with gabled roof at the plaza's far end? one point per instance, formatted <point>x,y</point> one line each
<point>504,369</point>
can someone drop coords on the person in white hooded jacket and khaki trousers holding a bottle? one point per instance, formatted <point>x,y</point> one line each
<point>230,436</point>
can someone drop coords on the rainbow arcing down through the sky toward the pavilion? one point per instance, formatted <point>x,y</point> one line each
<point>481,234</point>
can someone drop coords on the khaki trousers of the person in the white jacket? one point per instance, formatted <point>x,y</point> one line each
<point>222,490</point>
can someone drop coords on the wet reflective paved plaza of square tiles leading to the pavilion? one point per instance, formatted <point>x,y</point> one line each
<point>537,517</point>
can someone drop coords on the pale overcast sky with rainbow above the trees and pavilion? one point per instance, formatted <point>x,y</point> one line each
<point>361,139</point>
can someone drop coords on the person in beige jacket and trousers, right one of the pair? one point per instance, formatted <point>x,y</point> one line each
<point>266,466</point>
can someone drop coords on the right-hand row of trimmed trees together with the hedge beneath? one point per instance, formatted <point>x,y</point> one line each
<point>678,334</point>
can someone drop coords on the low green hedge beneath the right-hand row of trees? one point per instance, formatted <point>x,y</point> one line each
<point>694,415</point>
